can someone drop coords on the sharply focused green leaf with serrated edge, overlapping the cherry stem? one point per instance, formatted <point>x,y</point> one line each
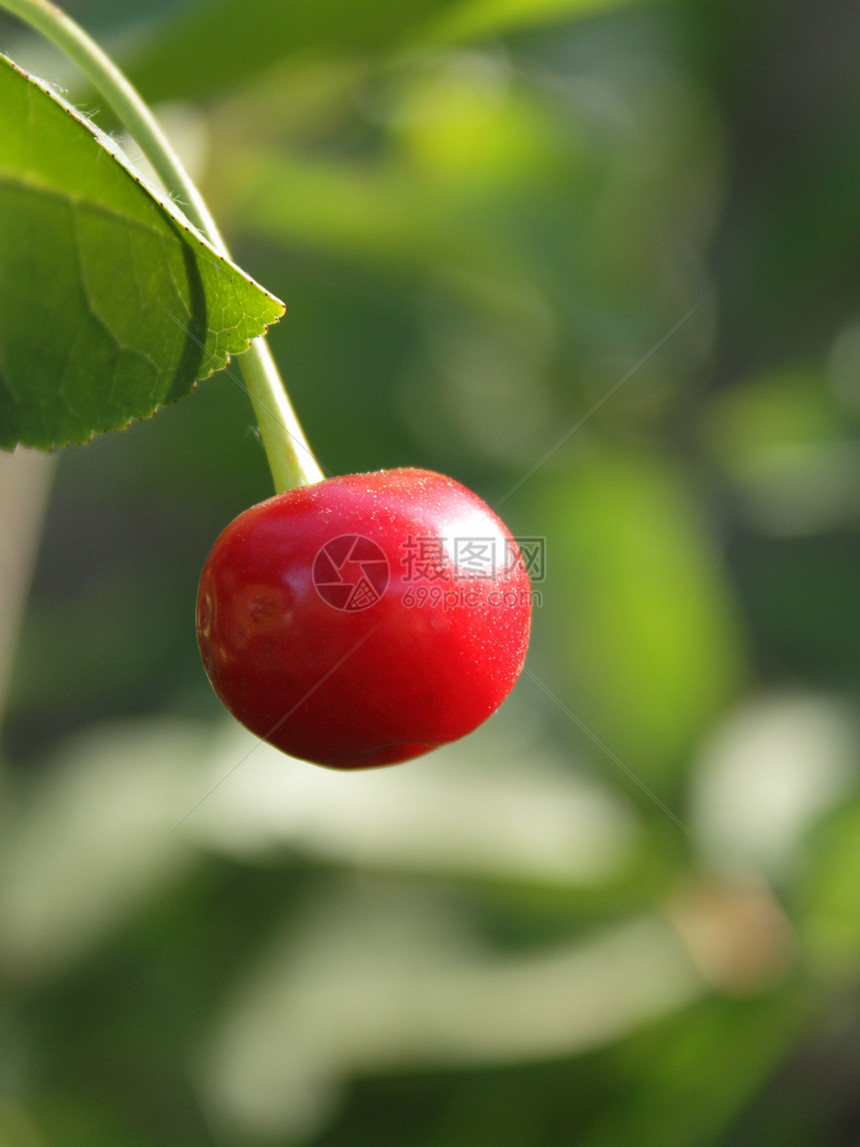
<point>112,305</point>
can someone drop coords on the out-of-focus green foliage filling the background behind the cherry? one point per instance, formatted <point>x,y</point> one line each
<point>599,262</point>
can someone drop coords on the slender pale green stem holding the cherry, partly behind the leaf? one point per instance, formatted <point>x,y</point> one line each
<point>287,450</point>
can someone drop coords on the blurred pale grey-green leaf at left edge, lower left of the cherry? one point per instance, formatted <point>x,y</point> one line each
<point>87,847</point>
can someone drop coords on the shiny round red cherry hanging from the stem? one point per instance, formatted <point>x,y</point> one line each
<point>365,620</point>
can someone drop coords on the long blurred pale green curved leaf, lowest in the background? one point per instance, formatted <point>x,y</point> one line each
<point>381,979</point>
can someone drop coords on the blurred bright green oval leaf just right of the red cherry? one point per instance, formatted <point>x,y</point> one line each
<point>648,631</point>
